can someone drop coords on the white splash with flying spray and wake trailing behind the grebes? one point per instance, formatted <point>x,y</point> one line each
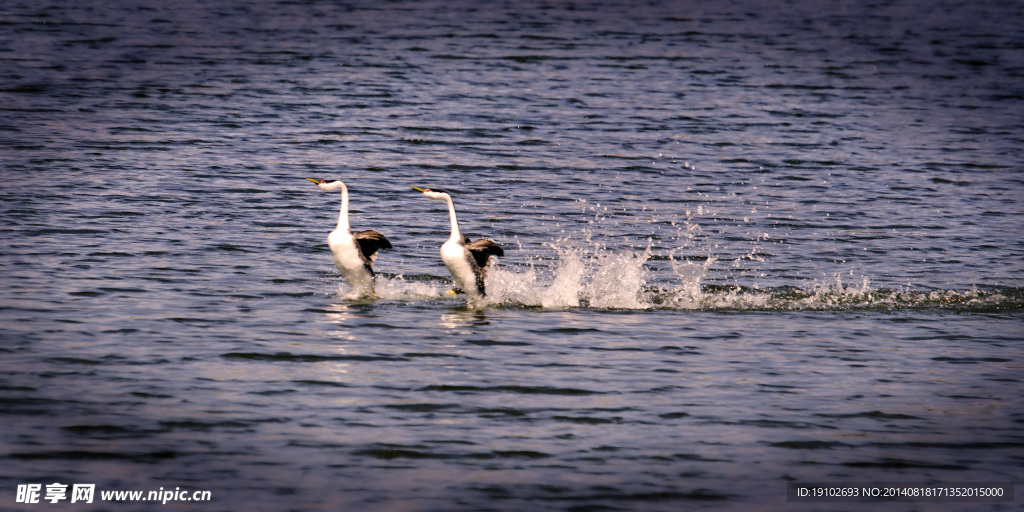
<point>596,272</point>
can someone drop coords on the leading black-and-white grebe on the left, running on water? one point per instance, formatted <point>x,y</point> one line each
<point>354,252</point>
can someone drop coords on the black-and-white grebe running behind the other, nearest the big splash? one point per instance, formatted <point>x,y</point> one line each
<point>468,262</point>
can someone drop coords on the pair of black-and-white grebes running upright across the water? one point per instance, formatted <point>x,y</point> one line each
<point>355,252</point>
